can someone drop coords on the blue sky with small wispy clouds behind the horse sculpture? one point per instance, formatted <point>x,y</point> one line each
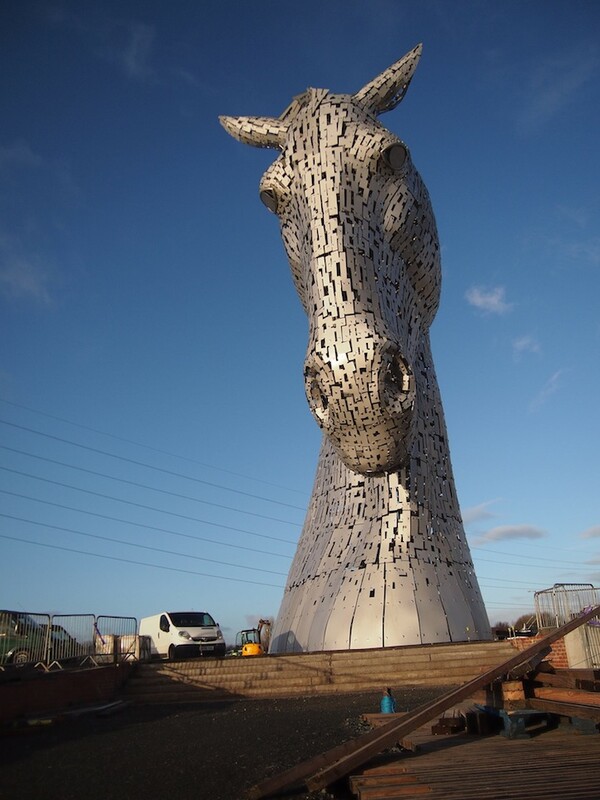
<point>156,449</point>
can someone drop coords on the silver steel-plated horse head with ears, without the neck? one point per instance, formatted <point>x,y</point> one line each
<point>361,240</point>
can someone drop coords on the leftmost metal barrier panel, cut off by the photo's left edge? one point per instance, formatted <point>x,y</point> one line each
<point>23,638</point>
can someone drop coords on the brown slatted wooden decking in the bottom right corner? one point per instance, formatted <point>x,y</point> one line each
<point>560,763</point>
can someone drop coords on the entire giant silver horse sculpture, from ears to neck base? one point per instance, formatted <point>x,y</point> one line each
<point>382,559</point>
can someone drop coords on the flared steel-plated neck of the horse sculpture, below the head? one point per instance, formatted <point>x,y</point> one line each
<point>383,560</point>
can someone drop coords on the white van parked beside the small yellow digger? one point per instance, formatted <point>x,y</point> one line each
<point>183,634</point>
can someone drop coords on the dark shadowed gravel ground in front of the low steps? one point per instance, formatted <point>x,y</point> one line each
<point>212,751</point>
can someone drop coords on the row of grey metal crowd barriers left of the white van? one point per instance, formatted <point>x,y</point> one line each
<point>60,640</point>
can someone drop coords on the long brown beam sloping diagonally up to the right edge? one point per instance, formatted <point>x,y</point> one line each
<point>328,767</point>
